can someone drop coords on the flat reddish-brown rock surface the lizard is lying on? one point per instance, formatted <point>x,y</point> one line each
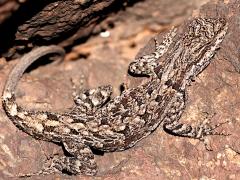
<point>104,60</point>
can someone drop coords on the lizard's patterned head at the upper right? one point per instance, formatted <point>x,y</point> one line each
<point>200,43</point>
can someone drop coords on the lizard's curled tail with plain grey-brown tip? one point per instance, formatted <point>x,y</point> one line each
<point>11,108</point>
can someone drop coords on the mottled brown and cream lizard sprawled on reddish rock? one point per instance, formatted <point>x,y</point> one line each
<point>99,121</point>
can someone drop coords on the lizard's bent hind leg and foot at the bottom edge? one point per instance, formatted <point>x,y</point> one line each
<point>81,161</point>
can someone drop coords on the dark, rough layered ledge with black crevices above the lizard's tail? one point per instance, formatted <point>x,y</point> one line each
<point>39,22</point>
